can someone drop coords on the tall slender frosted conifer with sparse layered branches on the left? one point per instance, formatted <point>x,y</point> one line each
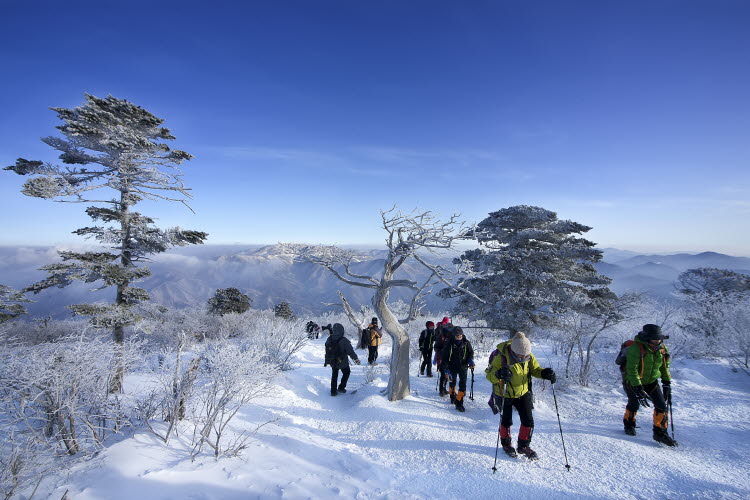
<point>115,149</point>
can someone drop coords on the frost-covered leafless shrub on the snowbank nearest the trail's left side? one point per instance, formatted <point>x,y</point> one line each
<point>231,374</point>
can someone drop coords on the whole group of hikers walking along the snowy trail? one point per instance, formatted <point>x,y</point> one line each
<point>644,361</point>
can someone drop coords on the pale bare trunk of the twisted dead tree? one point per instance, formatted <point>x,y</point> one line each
<point>398,382</point>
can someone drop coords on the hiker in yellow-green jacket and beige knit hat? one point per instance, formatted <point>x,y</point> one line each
<point>511,367</point>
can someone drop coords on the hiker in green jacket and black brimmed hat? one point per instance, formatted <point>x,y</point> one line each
<point>647,360</point>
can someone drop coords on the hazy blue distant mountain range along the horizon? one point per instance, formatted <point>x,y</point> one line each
<point>187,277</point>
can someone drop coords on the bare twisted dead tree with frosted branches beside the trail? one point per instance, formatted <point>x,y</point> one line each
<point>407,234</point>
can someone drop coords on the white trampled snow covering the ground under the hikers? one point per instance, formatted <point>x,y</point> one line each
<point>362,446</point>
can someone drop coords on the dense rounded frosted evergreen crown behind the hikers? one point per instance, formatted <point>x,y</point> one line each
<point>530,268</point>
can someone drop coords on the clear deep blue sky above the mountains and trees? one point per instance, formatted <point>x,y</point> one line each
<point>307,117</point>
